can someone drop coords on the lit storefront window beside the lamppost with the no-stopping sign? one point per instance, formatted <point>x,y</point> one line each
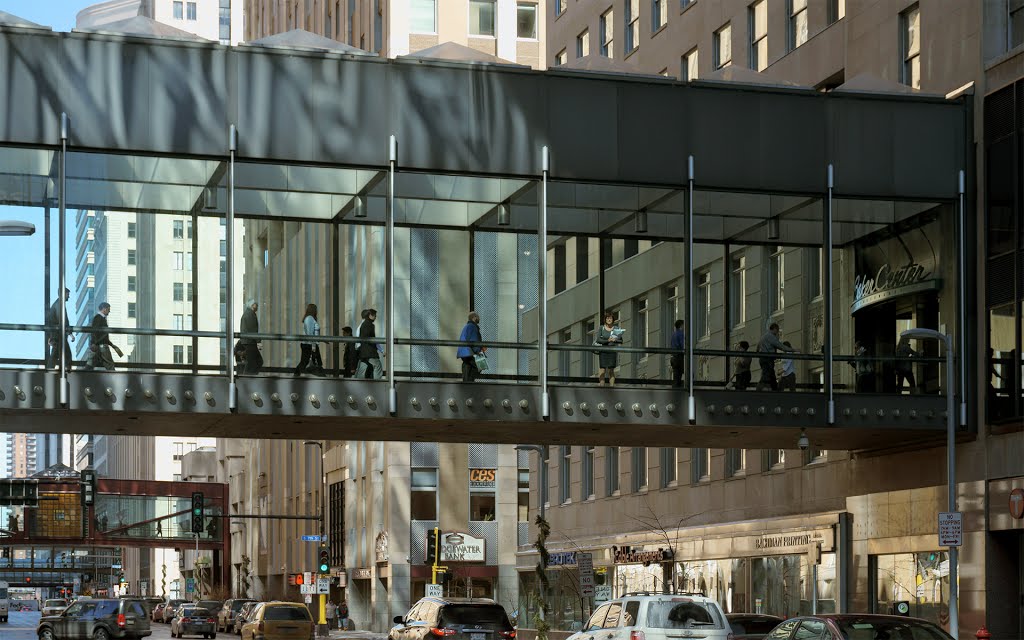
<point>922,580</point>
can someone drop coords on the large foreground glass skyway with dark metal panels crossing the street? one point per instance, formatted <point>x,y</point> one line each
<point>181,183</point>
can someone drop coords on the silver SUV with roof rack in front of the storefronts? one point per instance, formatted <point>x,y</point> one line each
<point>657,617</point>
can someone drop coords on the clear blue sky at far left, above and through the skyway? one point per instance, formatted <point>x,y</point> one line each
<point>22,259</point>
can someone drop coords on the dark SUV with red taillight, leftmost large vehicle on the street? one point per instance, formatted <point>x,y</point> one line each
<point>102,619</point>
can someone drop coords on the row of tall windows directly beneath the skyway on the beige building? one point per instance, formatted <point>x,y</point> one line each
<point>736,465</point>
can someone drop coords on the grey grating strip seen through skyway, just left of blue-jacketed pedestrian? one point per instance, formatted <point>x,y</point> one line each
<point>424,298</point>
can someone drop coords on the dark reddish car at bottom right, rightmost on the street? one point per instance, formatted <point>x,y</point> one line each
<point>857,627</point>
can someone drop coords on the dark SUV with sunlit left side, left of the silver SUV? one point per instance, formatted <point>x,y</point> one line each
<point>460,619</point>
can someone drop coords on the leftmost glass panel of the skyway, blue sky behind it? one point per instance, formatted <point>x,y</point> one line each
<point>29,247</point>
